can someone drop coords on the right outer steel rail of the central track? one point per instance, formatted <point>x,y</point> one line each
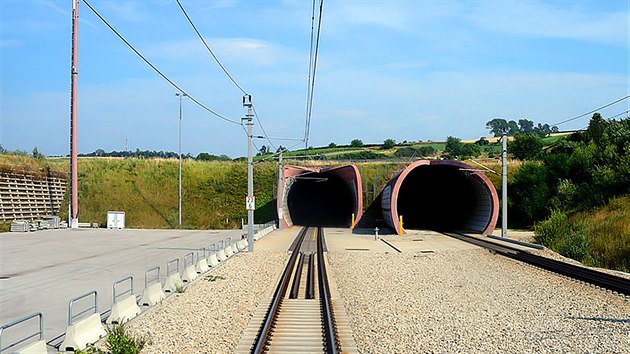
<point>330,335</point>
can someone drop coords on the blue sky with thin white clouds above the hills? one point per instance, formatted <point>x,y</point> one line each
<point>407,70</point>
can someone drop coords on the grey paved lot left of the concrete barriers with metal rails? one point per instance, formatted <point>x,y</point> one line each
<point>43,270</point>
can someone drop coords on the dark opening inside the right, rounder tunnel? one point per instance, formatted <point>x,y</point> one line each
<point>442,198</point>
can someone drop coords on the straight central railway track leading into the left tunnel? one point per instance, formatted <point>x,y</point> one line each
<point>299,317</point>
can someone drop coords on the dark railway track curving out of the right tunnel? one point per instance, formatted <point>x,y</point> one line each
<point>600,279</point>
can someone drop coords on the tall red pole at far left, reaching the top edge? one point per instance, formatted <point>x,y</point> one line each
<point>74,177</point>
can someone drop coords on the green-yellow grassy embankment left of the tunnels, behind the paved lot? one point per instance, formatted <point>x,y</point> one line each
<point>213,193</point>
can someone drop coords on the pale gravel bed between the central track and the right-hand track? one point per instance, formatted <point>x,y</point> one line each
<point>473,301</point>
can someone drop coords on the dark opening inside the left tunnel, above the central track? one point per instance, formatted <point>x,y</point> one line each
<point>320,199</point>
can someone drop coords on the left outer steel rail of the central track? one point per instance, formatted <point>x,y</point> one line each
<point>264,334</point>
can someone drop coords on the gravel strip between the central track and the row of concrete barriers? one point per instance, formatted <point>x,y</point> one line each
<point>211,315</point>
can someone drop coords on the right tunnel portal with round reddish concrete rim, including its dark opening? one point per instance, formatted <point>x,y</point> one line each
<point>440,195</point>
